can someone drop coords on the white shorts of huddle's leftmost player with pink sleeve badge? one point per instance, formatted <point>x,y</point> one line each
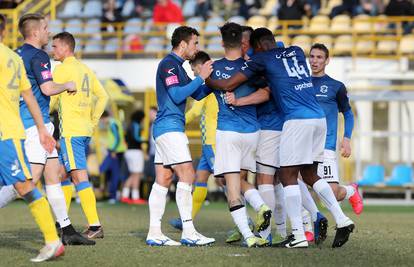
<point>172,149</point>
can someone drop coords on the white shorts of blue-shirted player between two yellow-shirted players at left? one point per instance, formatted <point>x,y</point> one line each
<point>35,152</point>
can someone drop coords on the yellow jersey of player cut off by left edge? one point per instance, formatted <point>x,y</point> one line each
<point>13,80</point>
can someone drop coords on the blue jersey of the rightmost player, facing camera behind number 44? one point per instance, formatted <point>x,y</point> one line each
<point>333,98</point>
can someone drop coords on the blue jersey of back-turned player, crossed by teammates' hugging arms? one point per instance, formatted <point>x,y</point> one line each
<point>241,119</point>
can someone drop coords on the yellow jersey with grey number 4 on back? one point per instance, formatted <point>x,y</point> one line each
<point>79,114</point>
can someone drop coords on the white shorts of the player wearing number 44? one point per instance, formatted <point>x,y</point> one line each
<point>302,142</point>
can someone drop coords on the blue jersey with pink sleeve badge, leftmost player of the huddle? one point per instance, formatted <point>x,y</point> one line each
<point>170,76</point>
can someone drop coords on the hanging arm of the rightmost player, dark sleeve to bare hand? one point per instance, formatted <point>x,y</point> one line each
<point>345,108</point>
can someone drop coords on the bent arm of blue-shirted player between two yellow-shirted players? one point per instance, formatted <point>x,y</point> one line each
<point>41,69</point>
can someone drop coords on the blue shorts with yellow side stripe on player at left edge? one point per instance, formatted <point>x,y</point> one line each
<point>14,166</point>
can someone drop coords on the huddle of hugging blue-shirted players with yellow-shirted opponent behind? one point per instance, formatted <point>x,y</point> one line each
<point>263,112</point>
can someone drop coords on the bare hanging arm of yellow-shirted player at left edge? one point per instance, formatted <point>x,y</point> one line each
<point>46,139</point>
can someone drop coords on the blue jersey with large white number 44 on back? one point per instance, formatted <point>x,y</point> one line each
<point>289,79</point>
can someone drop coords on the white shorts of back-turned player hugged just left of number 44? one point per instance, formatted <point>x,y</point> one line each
<point>235,152</point>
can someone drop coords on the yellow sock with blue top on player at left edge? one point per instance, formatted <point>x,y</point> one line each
<point>39,207</point>
